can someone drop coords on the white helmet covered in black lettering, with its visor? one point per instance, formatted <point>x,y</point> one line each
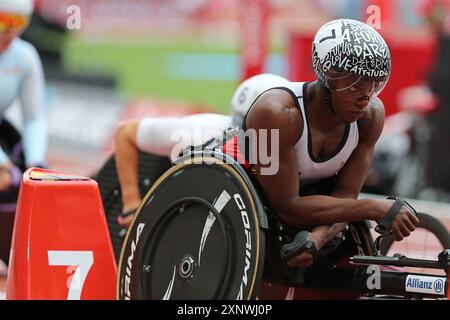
<point>346,54</point>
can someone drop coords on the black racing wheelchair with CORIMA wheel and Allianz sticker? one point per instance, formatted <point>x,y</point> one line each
<point>205,231</point>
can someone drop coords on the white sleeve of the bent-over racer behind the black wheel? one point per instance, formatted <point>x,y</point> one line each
<point>168,136</point>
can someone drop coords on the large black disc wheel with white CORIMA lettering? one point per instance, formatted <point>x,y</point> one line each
<point>196,236</point>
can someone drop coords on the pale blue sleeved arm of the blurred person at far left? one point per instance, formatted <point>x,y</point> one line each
<point>32,97</point>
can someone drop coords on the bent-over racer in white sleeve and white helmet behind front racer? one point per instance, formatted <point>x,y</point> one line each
<point>162,135</point>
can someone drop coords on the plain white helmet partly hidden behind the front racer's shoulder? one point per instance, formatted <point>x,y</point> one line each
<point>249,90</point>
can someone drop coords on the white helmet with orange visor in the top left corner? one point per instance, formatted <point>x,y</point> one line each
<point>15,14</point>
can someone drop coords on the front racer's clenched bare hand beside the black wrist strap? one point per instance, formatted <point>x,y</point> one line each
<point>404,222</point>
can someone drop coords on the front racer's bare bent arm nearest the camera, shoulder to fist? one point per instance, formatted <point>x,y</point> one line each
<point>275,110</point>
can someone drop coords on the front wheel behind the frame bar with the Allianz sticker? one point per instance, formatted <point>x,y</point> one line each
<point>426,242</point>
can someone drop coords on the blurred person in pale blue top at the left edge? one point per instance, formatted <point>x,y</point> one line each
<point>21,77</point>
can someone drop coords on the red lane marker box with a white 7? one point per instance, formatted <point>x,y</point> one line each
<point>61,248</point>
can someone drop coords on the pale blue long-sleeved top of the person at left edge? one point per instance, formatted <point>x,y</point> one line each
<point>21,76</point>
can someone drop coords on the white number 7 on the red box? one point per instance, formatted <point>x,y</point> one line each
<point>82,259</point>
